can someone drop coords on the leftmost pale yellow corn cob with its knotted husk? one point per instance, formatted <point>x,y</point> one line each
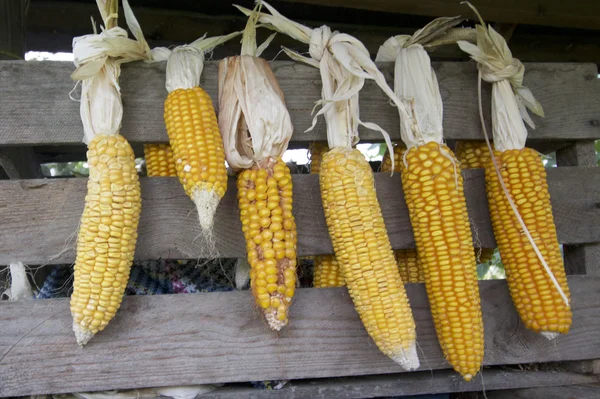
<point>108,228</point>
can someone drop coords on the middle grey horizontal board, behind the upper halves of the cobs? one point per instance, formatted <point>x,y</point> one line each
<point>40,217</point>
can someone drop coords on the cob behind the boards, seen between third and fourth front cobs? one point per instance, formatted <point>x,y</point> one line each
<point>327,271</point>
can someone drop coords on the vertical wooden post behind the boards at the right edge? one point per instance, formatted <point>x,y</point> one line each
<point>580,259</point>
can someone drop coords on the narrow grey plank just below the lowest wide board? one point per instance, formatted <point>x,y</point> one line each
<point>418,383</point>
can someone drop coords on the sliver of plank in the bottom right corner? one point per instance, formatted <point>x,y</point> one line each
<point>586,391</point>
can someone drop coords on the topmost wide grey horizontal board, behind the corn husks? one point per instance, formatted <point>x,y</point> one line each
<point>35,107</point>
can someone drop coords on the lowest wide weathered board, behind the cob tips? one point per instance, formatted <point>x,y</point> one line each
<point>219,337</point>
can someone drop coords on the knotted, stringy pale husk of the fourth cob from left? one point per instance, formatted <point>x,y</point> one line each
<point>345,64</point>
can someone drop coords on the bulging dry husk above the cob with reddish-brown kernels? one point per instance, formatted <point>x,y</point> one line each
<point>253,118</point>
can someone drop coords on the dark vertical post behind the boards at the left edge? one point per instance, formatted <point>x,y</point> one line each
<point>17,162</point>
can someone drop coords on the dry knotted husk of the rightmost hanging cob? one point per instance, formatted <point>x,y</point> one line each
<point>510,99</point>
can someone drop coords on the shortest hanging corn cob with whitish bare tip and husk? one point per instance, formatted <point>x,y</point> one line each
<point>193,132</point>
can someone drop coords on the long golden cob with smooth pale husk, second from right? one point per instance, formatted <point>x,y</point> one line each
<point>433,189</point>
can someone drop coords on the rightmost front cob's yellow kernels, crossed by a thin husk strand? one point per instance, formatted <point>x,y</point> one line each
<point>537,300</point>
